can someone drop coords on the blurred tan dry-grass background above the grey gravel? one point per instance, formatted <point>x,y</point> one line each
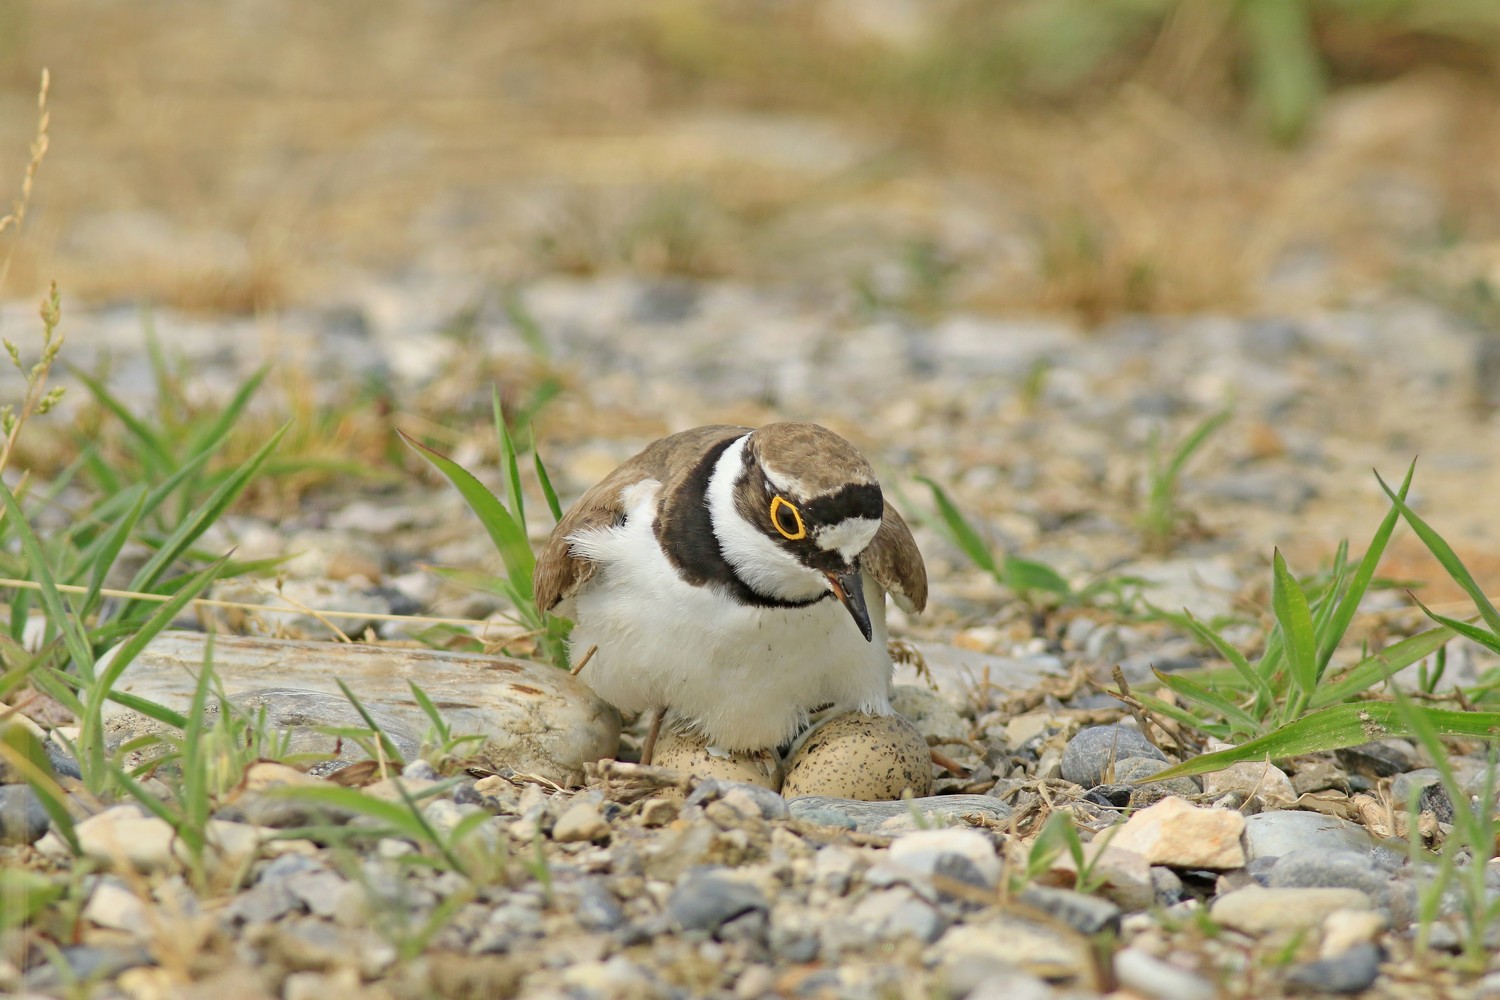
<point>1090,158</point>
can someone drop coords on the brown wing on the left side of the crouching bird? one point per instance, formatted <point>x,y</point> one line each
<point>560,573</point>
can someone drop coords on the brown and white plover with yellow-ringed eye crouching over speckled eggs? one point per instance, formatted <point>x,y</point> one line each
<point>734,581</point>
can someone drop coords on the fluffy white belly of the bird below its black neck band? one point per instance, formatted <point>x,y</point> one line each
<point>746,677</point>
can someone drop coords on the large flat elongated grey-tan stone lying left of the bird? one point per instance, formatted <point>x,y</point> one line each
<point>536,719</point>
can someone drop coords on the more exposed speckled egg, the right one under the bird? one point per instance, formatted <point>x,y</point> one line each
<point>871,758</point>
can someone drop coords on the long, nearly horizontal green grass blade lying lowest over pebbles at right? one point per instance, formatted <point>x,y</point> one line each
<point>1337,728</point>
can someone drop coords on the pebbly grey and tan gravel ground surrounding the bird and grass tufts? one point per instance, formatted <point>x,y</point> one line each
<point>629,882</point>
